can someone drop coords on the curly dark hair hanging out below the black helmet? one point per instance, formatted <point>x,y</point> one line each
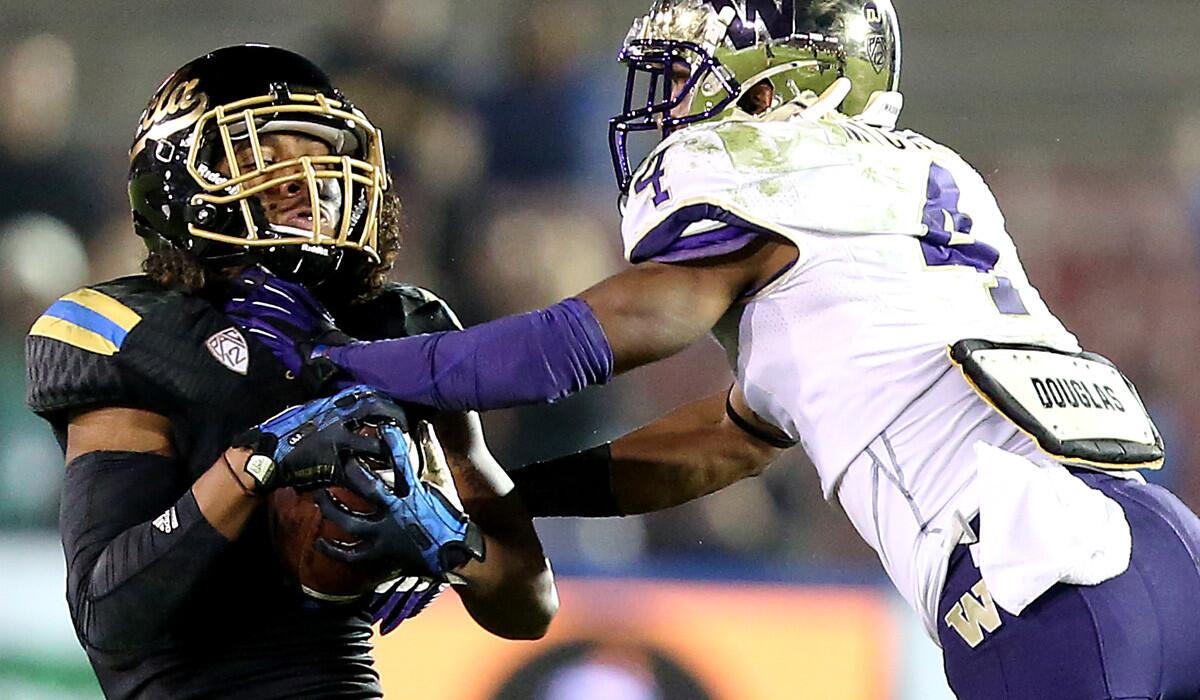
<point>179,270</point>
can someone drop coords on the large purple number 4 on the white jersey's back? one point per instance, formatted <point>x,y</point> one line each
<point>949,241</point>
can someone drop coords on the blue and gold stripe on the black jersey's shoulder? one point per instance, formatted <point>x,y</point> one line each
<point>88,320</point>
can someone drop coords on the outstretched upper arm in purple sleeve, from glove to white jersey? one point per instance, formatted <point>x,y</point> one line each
<point>645,314</point>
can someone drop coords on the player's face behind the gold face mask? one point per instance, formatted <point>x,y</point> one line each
<point>289,204</point>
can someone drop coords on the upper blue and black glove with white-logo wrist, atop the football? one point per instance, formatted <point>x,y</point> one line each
<point>304,446</point>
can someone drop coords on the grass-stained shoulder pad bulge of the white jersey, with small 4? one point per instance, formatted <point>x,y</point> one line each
<point>711,182</point>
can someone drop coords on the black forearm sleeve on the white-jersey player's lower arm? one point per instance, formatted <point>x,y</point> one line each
<point>578,486</point>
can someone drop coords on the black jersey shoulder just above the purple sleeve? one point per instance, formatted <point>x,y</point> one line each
<point>400,310</point>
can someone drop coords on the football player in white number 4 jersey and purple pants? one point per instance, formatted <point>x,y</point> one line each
<point>875,310</point>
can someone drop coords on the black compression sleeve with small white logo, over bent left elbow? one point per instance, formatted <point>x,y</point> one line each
<point>135,547</point>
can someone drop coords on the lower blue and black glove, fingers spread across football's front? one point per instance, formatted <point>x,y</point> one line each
<point>416,529</point>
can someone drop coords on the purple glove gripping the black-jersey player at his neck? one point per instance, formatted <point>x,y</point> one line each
<point>290,321</point>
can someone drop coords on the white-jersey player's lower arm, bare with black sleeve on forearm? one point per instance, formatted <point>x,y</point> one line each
<point>697,450</point>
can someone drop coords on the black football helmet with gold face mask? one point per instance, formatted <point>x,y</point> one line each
<point>189,192</point>
